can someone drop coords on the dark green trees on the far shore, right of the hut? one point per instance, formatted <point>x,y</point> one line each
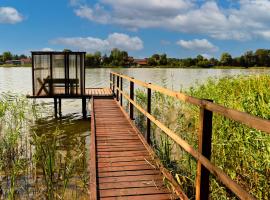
<point>260,57</point>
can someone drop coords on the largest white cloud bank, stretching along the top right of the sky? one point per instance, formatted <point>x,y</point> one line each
<point>249,19</point>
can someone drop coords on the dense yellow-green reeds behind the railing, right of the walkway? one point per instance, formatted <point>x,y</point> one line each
<point>243,153</point>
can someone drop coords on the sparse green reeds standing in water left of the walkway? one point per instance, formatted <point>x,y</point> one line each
<point>37,159</point>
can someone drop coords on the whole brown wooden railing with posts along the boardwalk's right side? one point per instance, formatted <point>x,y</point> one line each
<point>207,108</point>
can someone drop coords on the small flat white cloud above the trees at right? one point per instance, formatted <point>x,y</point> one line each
<point>198,45</point>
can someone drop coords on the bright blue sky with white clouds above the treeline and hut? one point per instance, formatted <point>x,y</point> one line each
<point>179,28</point>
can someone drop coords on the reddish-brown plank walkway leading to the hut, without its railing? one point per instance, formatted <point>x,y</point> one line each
<point>121,166</point>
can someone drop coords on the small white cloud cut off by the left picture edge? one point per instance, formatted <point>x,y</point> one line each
<point>9,15</point>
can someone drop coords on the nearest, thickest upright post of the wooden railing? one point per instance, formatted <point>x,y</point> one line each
<point>204,137</point>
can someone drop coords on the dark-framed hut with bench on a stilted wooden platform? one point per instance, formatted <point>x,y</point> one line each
<point>61,75</point>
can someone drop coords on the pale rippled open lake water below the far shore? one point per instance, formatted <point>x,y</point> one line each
<point>18,80</point>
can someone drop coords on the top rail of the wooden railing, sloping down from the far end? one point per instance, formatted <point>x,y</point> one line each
<point>247,119</point>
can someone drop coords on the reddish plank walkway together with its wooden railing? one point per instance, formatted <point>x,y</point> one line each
<point>122,162</point>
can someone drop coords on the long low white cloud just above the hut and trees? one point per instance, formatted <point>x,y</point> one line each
<point>91,44</point>
